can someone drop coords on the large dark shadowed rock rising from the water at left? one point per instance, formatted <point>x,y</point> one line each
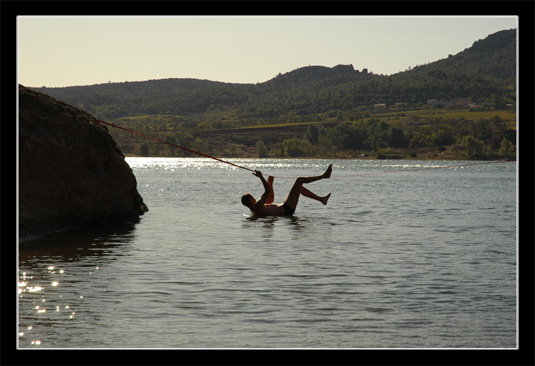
<point>71,173</point>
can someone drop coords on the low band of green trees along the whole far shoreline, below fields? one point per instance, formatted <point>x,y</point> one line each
<point>480,138</point>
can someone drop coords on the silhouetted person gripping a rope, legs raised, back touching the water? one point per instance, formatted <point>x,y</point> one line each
<point>265,206</point>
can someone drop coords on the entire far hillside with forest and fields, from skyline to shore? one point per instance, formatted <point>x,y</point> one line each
<point>458,107</point>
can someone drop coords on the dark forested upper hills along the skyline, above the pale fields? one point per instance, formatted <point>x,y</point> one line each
<point>484,73</point>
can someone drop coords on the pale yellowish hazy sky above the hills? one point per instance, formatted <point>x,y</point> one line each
<point>66,51</point>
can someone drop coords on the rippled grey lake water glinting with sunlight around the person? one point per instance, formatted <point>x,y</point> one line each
<point>398,259</point>
